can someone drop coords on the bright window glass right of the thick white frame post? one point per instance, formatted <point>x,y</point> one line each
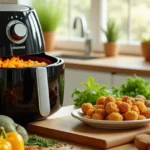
<point>133,20</point>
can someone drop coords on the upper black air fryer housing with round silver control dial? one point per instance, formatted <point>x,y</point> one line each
<point>20,31</point>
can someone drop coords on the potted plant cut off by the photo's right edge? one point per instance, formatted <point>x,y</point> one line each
<point>145,47</point>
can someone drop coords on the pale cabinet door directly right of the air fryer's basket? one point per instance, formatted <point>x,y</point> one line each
<point>74,77</point>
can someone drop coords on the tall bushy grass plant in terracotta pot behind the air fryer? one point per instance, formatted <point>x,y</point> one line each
<point>50,14</point>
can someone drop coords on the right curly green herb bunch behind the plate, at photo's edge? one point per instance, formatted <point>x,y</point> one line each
<point>133,87</point>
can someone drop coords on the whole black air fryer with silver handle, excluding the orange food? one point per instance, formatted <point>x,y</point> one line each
<point>31,93</point>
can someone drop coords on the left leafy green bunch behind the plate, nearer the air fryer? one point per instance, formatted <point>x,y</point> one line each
<point>91,92</point>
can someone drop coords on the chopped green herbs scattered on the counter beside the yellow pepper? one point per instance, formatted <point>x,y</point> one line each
<point>41,142</point>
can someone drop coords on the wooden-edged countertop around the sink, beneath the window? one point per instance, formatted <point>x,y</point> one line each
<point>123,64</point>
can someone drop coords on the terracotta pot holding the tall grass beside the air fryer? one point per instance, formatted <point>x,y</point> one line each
<point>49,38</point>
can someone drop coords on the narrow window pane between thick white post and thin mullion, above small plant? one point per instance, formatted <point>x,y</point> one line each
<point>118,10</point>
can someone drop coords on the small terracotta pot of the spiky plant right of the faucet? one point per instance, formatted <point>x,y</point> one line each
<point>111,49</point>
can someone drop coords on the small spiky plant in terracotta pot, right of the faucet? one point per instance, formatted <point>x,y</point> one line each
<point>111,48</point>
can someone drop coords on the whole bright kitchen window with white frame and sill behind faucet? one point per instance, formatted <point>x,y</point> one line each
<point>132,16</point>
